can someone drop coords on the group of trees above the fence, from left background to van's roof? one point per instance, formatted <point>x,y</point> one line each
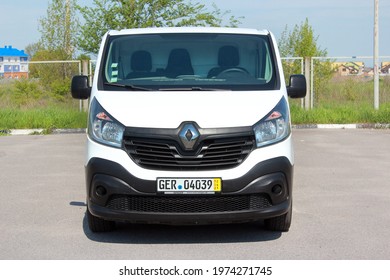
<point>69,28</point>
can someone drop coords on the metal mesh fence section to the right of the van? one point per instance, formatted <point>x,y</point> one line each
<point>337,81</point>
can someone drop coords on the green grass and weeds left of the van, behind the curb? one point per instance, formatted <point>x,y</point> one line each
<point>26,104</point>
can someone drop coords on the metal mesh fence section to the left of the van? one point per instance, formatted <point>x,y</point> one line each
<point>37,82</point>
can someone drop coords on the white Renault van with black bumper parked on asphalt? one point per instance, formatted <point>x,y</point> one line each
<point>189,126</point>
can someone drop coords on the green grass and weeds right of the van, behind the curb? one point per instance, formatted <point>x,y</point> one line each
<point>343,100</point>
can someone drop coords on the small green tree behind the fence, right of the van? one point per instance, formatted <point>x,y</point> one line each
<point>301,42</point>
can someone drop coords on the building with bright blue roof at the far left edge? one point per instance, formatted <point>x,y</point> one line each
<point>13,63</point>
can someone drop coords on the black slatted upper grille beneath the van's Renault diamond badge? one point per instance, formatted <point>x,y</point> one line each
<point>211,154</point>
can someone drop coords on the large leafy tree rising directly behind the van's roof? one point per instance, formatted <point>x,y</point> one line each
<point>118,14</point>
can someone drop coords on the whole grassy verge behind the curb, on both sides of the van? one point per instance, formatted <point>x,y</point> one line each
<point>27,105</point>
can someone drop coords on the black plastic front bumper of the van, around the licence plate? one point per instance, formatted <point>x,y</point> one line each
<point>115,194</point>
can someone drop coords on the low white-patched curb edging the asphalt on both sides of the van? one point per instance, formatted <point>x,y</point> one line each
<point>40,131</point>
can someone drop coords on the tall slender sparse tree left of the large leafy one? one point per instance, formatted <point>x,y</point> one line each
<point>59,28</point>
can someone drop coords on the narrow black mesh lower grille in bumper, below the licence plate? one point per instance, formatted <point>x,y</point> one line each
<point>188,204</point>
